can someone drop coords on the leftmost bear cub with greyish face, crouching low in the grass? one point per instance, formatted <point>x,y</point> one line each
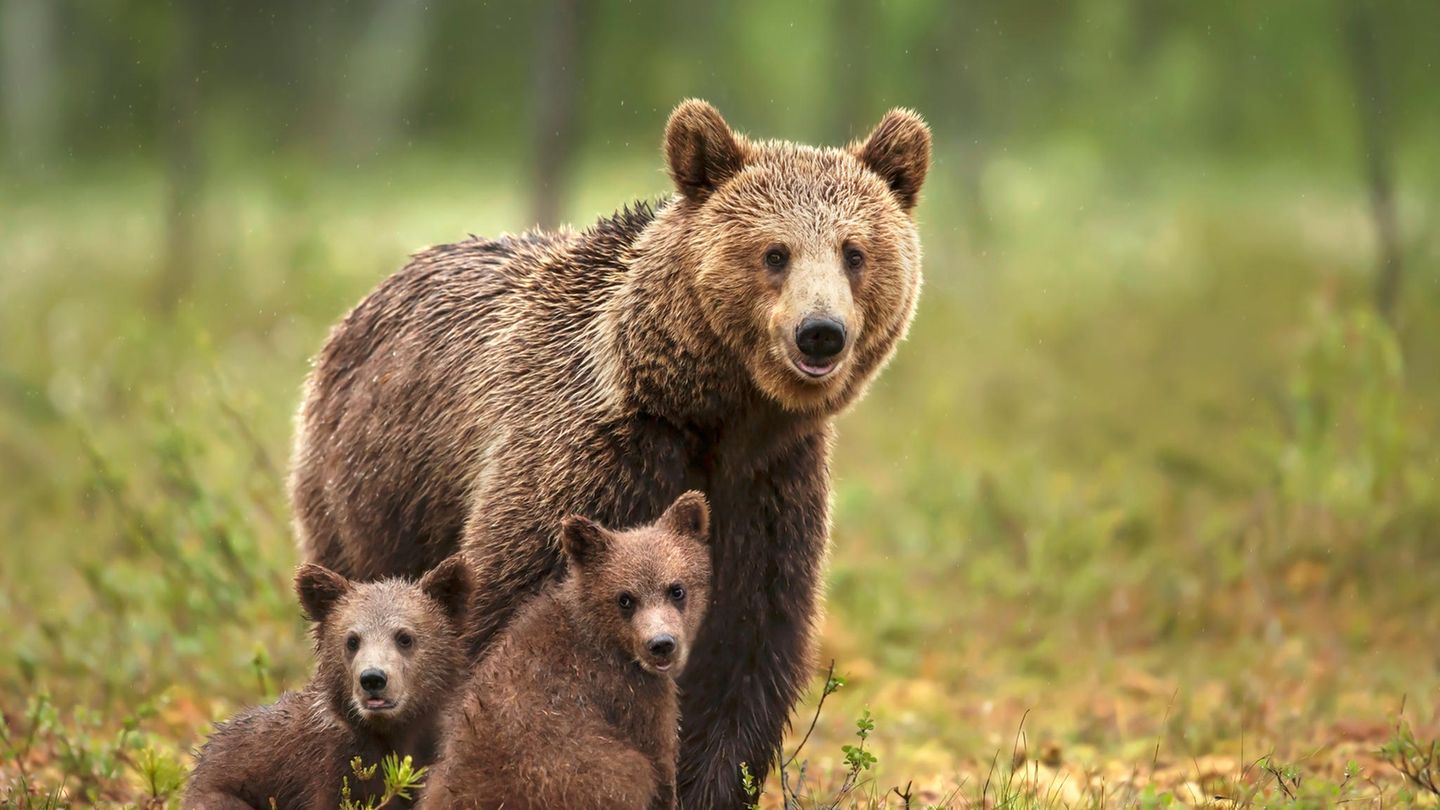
<point>390,659</point>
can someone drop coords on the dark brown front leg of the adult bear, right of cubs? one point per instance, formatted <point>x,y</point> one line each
<point>754,657</point>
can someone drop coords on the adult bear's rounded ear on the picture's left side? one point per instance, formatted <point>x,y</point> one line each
<point>701,151</point>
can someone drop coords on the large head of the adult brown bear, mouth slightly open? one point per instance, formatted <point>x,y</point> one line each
<point>807,260</point>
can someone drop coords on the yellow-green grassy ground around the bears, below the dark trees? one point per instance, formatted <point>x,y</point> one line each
<point>1143,515</point>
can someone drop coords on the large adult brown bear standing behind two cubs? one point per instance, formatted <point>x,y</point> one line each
<point>492,388</point>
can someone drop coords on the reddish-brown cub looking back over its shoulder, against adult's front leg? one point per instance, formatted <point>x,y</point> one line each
<point>577,706</point>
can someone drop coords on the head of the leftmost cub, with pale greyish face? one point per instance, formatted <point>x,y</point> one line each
<point>388,651</point>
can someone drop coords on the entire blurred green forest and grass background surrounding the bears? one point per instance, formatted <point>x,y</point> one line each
<point>1146,511</point>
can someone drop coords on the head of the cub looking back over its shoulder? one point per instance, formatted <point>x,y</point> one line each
<point>643,592</point>
